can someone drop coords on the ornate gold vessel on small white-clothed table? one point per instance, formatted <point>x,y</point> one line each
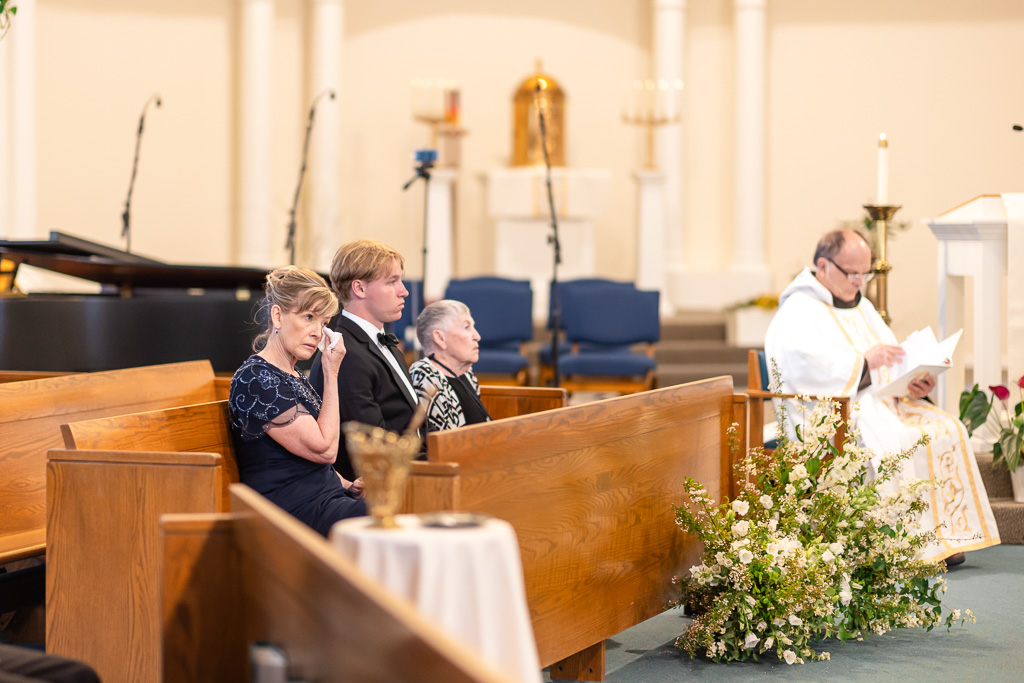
<point>382,459</point>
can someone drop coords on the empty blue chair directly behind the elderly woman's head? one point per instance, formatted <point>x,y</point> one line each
<point>503,311</point>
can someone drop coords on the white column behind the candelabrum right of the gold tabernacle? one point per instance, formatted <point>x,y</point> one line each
<point>669,56</point>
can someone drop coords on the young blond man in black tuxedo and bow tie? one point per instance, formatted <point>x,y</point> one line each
<point>374,387</point>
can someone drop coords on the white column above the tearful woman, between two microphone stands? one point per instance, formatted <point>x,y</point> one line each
<point>258,242</point>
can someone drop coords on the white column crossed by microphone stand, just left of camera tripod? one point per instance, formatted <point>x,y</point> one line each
<point>324,206</point>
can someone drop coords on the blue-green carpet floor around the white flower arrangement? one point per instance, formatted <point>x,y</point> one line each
<point>991,584</point>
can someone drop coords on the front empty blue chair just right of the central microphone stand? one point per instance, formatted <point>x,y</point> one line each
<point>604,324</point>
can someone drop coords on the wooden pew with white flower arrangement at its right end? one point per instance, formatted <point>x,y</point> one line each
<point>590,491</point>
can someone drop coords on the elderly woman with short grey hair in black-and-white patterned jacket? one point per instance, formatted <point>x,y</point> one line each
<point>451,344</point>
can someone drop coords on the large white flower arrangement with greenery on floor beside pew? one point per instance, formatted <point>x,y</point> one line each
<point>812,548</point>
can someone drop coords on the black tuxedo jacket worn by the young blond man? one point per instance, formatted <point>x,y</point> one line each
<point>369,390</point>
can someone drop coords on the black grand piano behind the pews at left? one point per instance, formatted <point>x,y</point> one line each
<point>147,313</point>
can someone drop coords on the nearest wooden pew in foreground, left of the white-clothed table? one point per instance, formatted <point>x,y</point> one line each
<point>259,575</point>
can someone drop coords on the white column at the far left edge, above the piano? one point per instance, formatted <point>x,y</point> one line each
<point>22,136</point>
